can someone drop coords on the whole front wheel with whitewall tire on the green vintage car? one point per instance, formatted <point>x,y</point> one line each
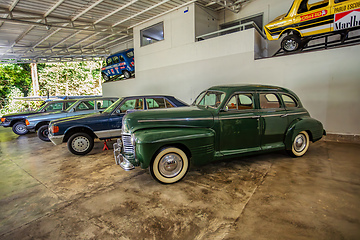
<point>170,165</point>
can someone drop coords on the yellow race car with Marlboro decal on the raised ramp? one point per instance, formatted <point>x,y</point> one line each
<point>312,17</point>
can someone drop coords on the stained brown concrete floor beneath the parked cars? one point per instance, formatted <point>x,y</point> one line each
<point>48,193</point>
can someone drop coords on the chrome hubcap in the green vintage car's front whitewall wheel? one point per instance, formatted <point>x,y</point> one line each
<point>170,165</point>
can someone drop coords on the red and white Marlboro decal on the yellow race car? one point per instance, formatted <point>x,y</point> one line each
<point>347,19</point>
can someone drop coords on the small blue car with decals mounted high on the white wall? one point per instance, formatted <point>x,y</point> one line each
<point>121,63</point>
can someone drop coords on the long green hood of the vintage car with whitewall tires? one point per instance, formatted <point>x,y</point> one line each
<point>175,117</point>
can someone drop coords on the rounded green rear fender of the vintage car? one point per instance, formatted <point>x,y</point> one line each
<point>312,126</point>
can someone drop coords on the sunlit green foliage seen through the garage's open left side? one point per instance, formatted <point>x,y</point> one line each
<point>57,79</point>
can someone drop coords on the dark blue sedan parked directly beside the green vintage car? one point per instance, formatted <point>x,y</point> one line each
<point>80,131</point>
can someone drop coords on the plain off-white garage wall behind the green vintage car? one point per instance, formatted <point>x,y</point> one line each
<point>327,82</point>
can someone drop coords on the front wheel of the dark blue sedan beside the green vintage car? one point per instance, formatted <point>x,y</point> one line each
<point>80,143</point>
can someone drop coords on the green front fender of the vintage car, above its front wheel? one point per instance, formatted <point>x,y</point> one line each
<point>197,143</point>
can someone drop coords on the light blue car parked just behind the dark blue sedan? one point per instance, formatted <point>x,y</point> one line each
<point>84,106</point>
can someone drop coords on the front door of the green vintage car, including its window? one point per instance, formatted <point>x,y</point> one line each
<point>239,125</point>
